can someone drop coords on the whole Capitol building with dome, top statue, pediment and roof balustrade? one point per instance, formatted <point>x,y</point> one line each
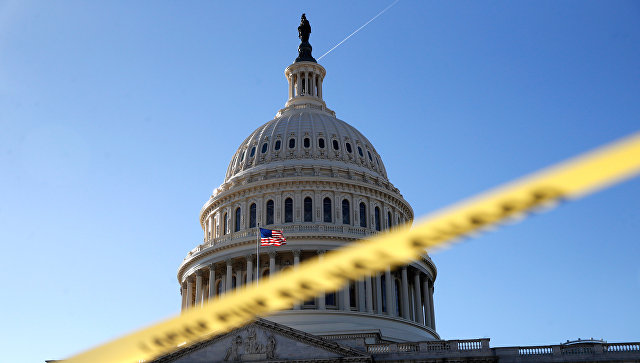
<point>322,182</point>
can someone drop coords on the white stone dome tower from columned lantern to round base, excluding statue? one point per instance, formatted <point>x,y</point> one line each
<point>322,182</point>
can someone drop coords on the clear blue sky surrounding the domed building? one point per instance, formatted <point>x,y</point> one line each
<point>118,119</point>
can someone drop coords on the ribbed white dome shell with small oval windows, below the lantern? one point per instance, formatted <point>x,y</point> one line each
<point>302,137</point>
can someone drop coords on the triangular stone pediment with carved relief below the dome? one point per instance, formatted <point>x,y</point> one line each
<point>265,340</point>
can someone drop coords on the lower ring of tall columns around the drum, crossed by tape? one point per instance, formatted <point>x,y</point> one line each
<point>406,292</point>
